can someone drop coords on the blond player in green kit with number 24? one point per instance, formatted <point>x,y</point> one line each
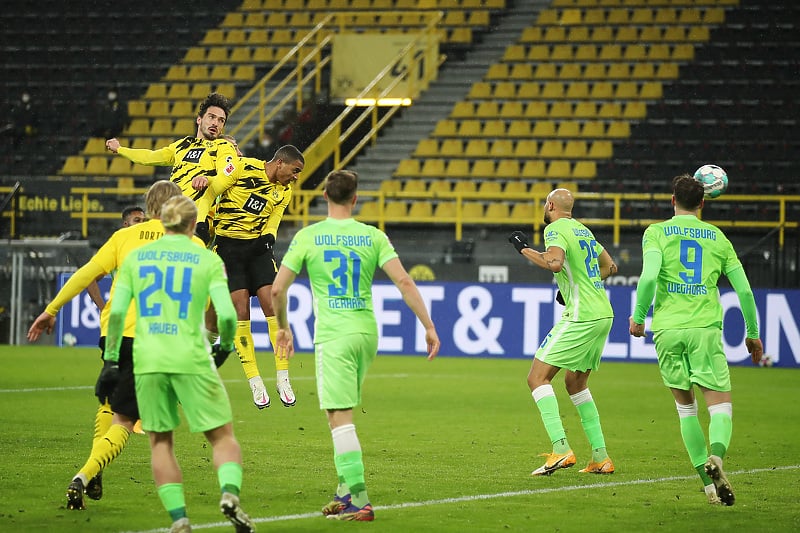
<point>170,281</point>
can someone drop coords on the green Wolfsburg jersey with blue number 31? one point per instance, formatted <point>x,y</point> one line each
<point>341,257</point>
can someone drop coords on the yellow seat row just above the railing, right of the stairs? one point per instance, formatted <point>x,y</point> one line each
<point>561,169</point>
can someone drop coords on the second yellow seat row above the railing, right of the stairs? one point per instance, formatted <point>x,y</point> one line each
<point>501,148</point>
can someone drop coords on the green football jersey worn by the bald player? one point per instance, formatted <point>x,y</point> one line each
<point>579,281</point>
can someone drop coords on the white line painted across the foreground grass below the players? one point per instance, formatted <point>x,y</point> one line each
<point>460,499</point>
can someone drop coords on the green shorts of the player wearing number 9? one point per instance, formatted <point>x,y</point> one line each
<point>687,356</point>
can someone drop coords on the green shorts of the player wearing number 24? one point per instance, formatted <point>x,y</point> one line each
<point>203,398</point>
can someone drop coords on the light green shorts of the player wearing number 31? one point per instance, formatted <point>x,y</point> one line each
<point>341,368</point>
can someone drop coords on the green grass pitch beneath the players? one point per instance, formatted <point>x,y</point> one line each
<point>448,446</point>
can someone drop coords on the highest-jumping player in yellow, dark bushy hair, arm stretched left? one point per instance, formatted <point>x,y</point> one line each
<point>203,166</point>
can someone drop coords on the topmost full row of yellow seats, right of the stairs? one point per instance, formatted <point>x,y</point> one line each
<point>633,15</point>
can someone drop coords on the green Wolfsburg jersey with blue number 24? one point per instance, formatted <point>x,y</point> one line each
<point>170,281</point>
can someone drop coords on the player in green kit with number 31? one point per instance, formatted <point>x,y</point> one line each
<point>341,256</point>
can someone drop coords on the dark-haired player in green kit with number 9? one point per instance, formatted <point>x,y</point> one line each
<point>683,258</point>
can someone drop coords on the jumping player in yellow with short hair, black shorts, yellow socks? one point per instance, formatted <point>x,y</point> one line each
<point>246,221</point>
